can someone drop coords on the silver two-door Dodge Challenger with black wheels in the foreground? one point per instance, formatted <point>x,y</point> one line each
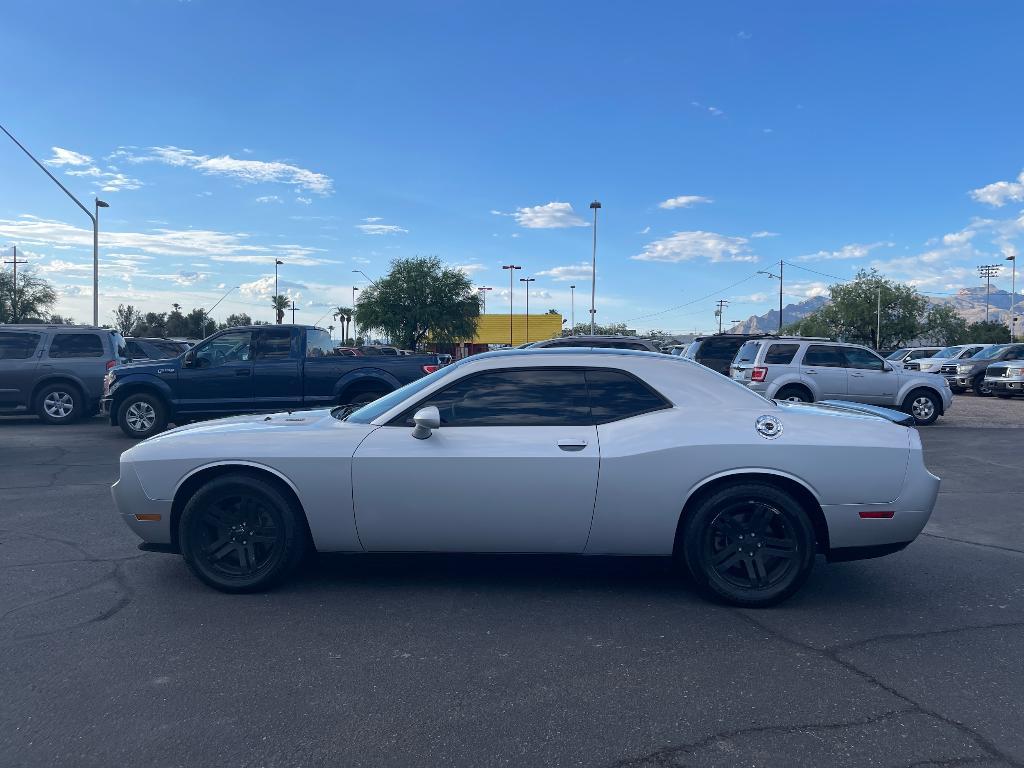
<point>540,451</point>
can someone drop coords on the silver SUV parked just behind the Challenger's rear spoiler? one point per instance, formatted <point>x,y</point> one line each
<point>809,370</point>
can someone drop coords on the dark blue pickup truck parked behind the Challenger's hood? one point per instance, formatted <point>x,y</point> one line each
<point>249,370</point>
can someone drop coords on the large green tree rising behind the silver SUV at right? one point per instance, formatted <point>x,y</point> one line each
<point>852,313</point>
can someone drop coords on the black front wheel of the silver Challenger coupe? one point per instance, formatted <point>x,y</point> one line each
<point>240,534</point>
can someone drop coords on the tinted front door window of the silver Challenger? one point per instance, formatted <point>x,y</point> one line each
<point>527,398</point>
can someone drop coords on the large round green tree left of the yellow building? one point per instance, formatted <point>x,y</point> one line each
<point>420,296</point>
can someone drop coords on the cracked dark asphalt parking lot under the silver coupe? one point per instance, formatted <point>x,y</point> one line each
<point>112,657</point>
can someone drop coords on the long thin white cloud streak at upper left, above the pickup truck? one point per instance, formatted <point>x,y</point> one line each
<point>250,172</point>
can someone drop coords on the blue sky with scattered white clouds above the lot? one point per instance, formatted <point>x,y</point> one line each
<point>720,138</point>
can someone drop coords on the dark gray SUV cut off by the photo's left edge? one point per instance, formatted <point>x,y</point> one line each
<point>57,372</point>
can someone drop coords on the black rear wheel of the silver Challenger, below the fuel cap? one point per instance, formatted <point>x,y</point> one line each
<point>750,545</point>
